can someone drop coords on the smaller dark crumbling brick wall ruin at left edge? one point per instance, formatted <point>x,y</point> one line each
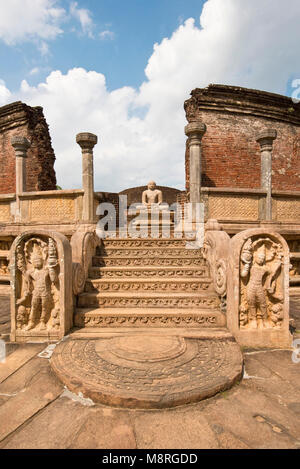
<point>22,120</point>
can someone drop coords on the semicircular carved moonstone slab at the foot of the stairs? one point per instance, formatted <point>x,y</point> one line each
<point>147,371</point>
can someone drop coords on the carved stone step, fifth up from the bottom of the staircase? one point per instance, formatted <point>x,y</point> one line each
<point>99,261</point>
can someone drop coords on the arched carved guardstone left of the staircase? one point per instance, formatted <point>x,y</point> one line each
<point>41,283</point>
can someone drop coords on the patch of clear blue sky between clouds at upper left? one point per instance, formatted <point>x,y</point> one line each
<point>132,27</point>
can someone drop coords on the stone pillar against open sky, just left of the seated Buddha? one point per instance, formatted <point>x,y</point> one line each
<point>87,142</point>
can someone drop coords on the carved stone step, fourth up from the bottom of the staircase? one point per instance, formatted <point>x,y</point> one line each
<point>146,272</point>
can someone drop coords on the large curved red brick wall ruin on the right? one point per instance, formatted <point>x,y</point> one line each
<point>230,153</point>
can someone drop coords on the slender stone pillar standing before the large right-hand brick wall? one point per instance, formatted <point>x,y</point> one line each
<point>265,139</point>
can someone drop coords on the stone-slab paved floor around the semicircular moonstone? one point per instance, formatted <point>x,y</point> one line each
<point>263,411</point>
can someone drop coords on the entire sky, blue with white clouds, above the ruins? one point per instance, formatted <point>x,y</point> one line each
<point>123,70</point>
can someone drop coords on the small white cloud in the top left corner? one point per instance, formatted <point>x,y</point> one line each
<point>23,20</point>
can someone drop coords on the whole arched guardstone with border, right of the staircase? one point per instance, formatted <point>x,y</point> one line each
<point>258,289</point>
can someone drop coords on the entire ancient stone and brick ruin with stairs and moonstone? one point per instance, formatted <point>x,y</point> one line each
<point>155,299</point>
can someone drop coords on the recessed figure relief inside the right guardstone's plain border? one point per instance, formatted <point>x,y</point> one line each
<point>261,284</point>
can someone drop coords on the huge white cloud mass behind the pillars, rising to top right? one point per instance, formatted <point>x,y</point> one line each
<point>140,132</point>
